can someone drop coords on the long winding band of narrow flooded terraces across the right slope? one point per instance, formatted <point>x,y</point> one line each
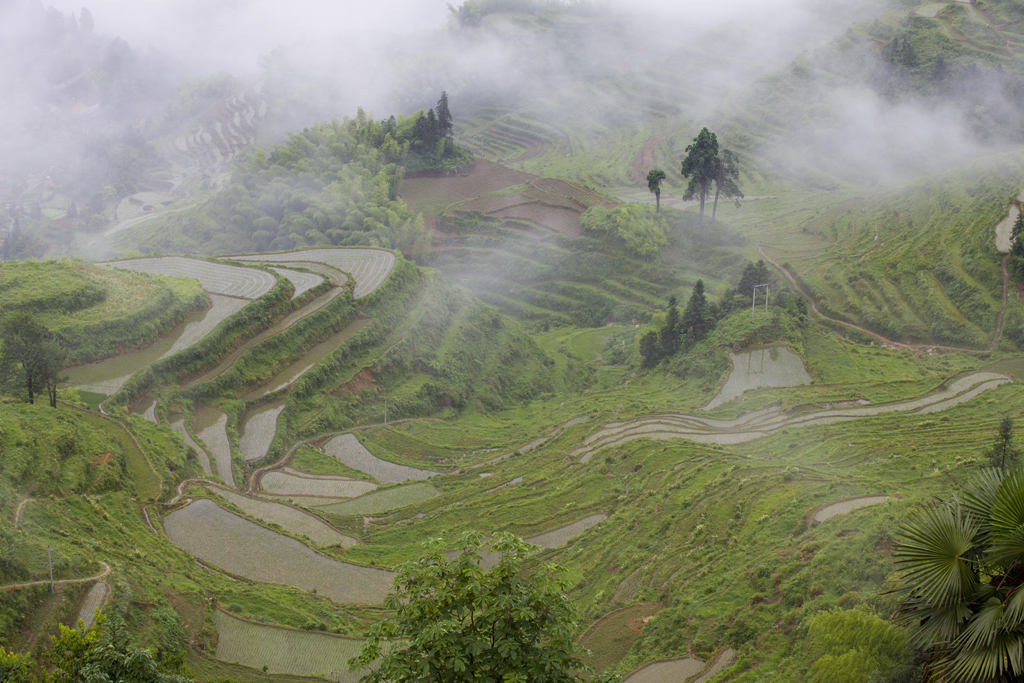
<point>767,421</point>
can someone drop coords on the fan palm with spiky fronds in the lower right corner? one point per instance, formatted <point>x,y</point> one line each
<point>963,565</point>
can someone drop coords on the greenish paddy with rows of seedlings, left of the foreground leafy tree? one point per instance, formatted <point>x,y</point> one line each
<point>285,651</point>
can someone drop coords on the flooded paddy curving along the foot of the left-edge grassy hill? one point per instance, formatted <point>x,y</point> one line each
<point>109,376</point>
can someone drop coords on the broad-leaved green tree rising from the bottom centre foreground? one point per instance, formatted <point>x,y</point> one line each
<point>457,622</point>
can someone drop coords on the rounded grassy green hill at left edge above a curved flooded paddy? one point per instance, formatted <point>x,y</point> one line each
<point>98,312</point>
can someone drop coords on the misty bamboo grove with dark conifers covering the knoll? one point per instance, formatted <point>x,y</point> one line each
<point>338,184</point>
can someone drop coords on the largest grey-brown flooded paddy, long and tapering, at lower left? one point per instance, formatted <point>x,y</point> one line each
<point>237,545</point>
